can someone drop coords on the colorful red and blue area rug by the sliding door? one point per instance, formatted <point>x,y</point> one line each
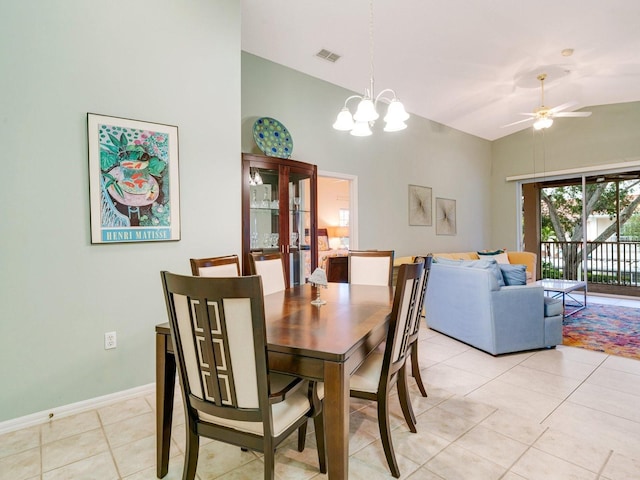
<point>605,328</point>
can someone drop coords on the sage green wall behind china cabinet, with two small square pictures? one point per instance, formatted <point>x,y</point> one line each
<point>456,165</point>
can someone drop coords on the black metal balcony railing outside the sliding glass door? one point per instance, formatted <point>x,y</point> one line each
<point>610,263</point>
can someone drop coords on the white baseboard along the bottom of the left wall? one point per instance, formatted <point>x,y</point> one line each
<point>74,408</point>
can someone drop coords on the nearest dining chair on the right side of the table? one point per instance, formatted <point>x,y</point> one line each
<point>381,370</point>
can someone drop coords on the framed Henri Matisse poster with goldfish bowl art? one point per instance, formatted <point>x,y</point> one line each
<point>134,184</point>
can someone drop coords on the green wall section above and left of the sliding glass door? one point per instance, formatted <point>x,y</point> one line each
<point>608,136</point>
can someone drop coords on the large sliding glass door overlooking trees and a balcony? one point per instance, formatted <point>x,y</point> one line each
<point>589,227</point>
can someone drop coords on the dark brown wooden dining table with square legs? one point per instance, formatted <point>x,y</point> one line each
<point>325,343</point>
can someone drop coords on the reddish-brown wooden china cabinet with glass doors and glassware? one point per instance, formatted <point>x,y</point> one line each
<point>279,210</point>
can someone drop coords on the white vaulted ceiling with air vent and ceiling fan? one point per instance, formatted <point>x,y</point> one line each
<point>468,64</point>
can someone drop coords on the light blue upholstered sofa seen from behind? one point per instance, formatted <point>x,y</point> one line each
<point>466,302</point>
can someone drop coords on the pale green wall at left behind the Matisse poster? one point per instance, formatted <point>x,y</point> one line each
<point>169,62</point>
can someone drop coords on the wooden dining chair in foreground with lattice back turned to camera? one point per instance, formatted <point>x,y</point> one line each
<point>218,330</point>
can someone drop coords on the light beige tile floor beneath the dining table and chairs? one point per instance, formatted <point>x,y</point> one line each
<point>562,413</point>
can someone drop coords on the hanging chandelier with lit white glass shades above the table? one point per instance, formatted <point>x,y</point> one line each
<point>360,123</point>
